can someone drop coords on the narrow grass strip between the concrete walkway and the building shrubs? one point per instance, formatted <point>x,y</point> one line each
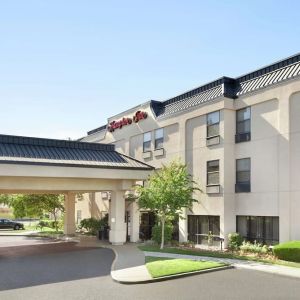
<point>217,254</point>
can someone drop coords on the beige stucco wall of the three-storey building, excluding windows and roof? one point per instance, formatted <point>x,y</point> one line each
<point>273,149</point>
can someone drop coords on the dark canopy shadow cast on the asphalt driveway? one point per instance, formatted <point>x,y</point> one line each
<point>52,263</point>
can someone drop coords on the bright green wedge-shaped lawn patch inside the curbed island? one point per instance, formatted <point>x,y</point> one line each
<point>159,267</point>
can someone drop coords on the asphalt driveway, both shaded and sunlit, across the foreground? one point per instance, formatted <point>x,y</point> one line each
<point>66,271</point>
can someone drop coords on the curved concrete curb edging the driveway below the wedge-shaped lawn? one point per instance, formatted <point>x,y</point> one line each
<point>175,276</point>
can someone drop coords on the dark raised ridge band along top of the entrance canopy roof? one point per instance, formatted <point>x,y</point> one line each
<point>33,141</point>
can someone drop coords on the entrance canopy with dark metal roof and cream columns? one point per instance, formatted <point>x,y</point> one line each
<point>37,165</point>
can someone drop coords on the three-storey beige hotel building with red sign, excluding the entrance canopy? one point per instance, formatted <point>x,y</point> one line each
<point>240,139</point>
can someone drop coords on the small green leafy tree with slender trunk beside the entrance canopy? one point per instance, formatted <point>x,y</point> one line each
<point>167,192</point>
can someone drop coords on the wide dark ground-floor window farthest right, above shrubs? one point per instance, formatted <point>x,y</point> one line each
<point>264,230</point>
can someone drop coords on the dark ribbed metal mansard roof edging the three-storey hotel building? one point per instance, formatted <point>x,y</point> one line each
<point>278,72</point>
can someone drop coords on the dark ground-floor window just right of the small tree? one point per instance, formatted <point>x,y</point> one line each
<point>199,226</point>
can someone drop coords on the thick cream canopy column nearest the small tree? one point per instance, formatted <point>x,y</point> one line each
<point>117,233</point>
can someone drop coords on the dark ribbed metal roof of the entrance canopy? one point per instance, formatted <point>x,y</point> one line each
<point>40,151</point>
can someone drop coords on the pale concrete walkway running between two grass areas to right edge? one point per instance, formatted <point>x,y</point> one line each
<point>241,264</point>
